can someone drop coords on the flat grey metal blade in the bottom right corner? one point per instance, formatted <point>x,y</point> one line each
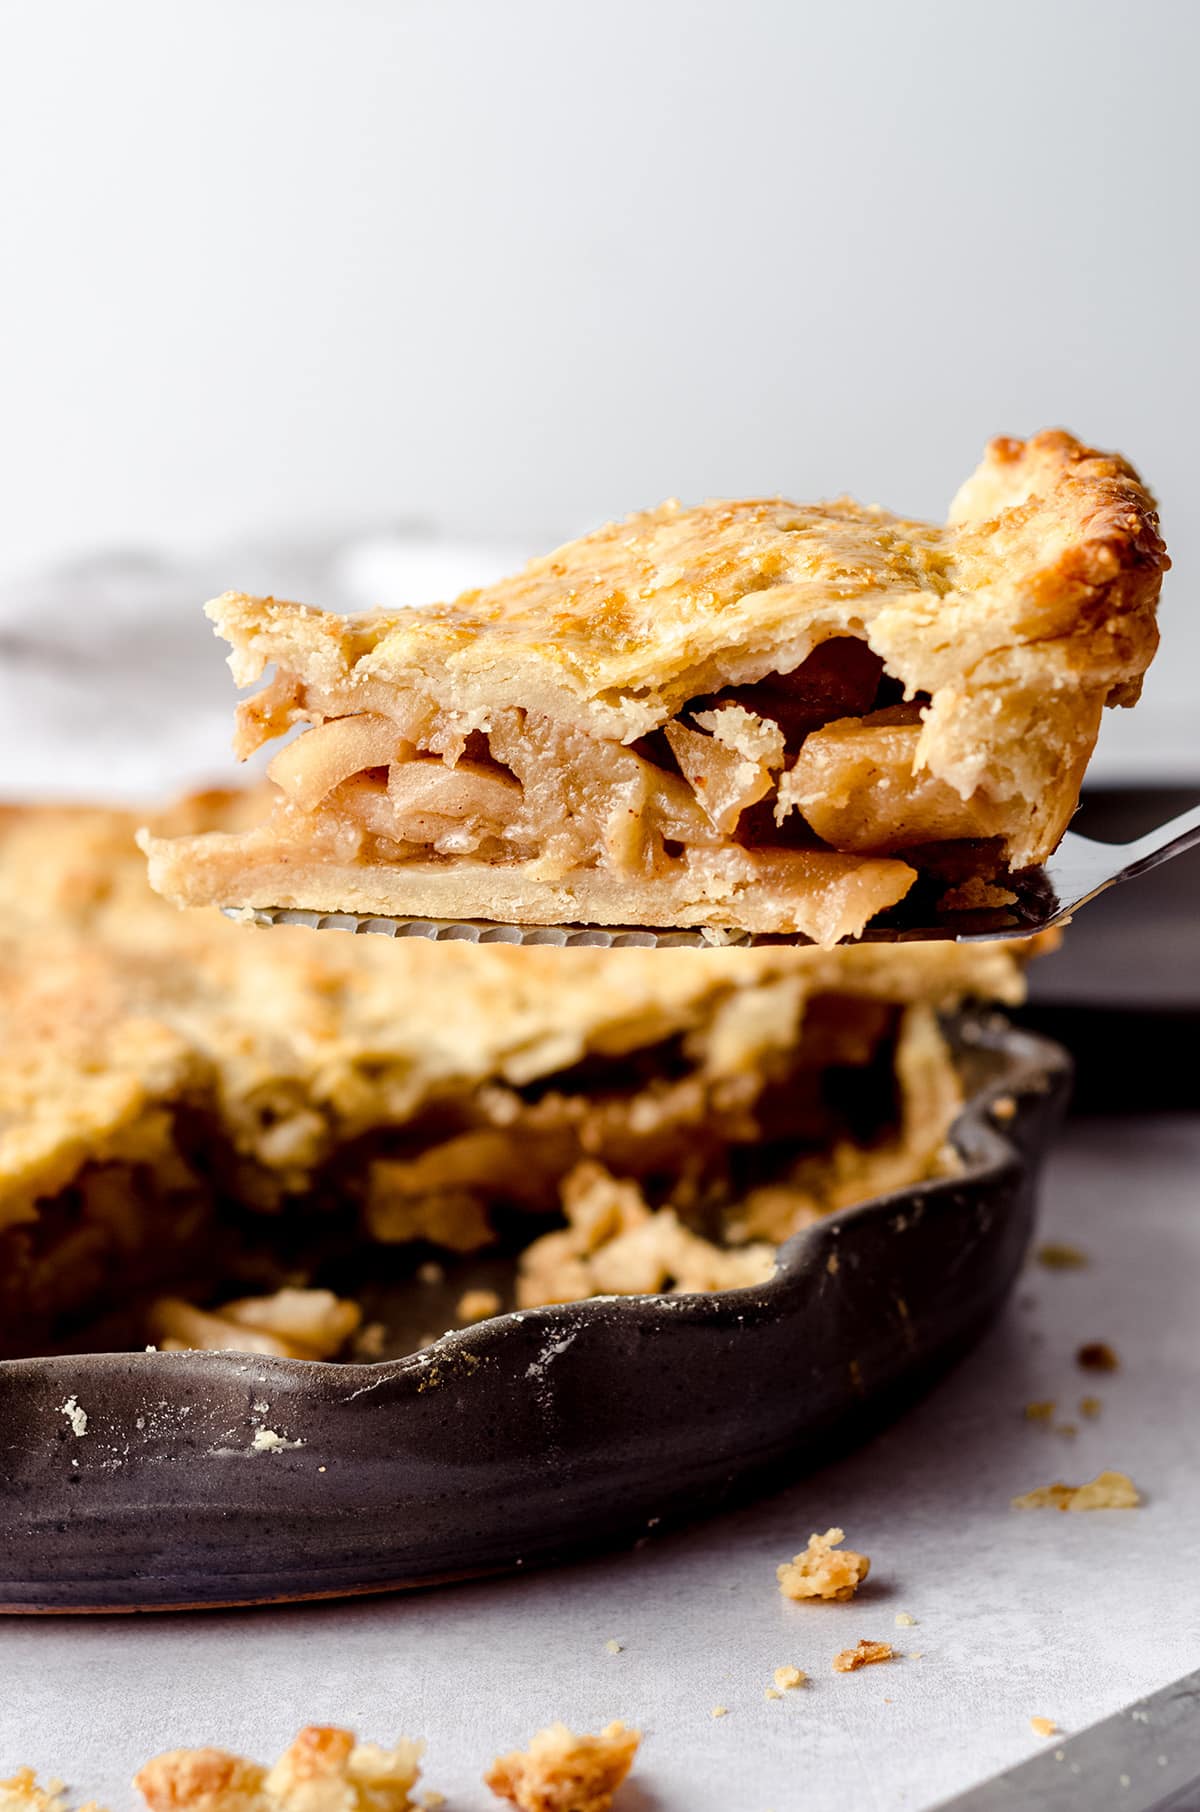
<point>1145,1759</point>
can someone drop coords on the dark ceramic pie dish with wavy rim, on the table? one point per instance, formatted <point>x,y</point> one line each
<point>204,1479</point>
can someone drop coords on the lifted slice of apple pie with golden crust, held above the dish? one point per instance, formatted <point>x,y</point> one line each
<point>748,715</point>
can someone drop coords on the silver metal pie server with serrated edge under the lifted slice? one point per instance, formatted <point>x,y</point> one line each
<point>1078,872</point>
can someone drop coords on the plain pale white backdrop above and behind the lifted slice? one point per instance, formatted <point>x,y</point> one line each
<point>512,269</point>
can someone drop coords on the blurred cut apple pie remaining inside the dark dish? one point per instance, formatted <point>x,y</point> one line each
<point>213,1137</point>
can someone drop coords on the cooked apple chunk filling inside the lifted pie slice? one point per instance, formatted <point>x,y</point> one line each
<point>795,802</point>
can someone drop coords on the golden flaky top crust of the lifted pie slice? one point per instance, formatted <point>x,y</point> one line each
<point>1045,579</point>
